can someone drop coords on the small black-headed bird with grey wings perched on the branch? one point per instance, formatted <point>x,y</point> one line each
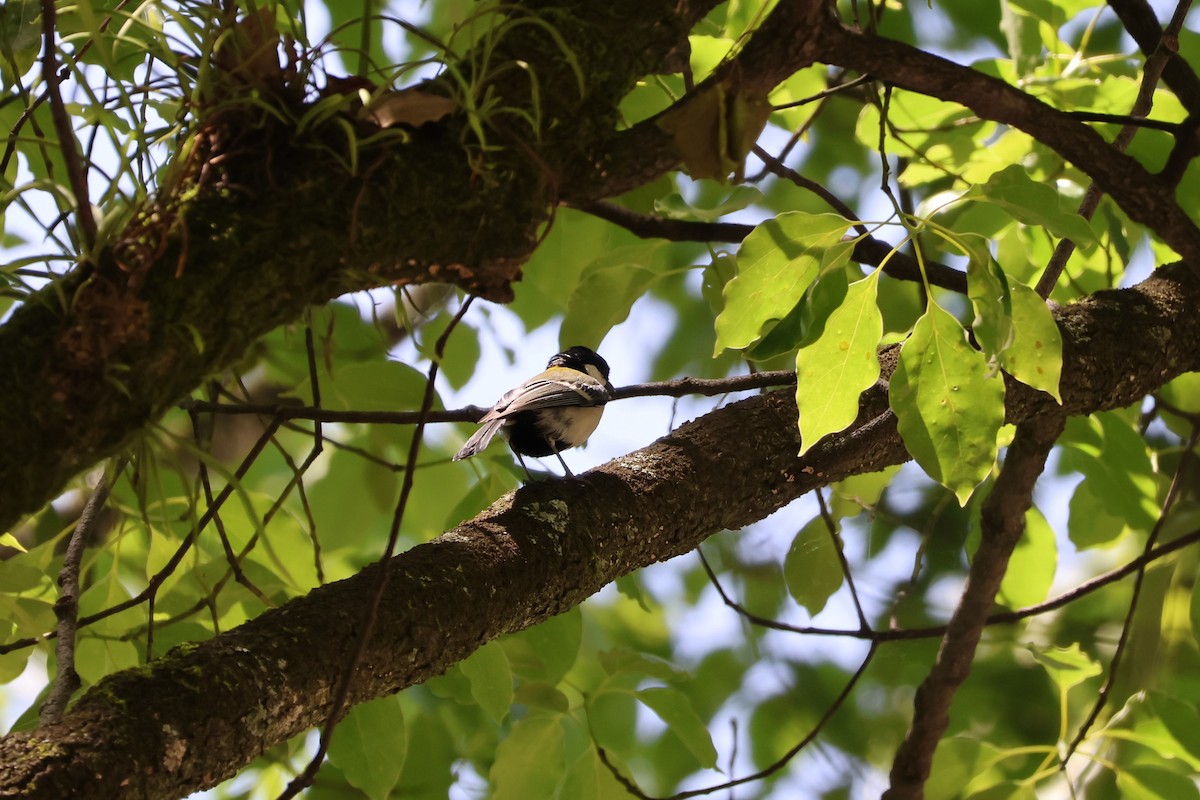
<point>550,413</point>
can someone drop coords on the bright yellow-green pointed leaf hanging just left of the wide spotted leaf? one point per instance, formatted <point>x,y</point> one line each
<point>836,369</point>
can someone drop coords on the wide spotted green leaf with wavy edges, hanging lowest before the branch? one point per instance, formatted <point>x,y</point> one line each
<point>949,410</point>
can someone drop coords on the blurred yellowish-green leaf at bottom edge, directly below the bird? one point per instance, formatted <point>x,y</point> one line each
<point>530,761</point>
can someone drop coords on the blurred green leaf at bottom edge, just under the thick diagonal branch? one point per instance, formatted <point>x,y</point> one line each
<point>370,747</point>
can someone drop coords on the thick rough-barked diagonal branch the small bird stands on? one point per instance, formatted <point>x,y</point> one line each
<point>202,712</point>
